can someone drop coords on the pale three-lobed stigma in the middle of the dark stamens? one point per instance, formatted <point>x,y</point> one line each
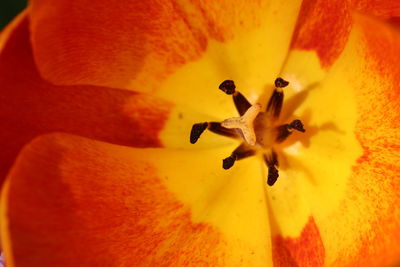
<point>245,123</point>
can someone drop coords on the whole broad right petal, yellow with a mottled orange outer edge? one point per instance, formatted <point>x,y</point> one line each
<point>345,173</point>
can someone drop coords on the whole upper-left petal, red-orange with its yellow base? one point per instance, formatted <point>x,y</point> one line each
<point>137,45</point>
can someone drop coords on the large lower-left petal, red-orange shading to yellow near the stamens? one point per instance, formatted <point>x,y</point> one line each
<point>71,201</point>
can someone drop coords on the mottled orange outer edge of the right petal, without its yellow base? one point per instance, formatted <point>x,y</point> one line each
<point>374,185</point>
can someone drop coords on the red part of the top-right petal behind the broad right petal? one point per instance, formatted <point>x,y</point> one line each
<point>324,26</point>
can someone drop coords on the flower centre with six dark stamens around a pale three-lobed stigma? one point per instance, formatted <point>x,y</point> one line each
<point>259,129</point>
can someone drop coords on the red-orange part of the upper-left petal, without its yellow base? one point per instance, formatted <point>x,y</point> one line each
<point>114,43</point>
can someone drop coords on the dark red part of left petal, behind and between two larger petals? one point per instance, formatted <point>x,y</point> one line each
<point>32,106</point>
